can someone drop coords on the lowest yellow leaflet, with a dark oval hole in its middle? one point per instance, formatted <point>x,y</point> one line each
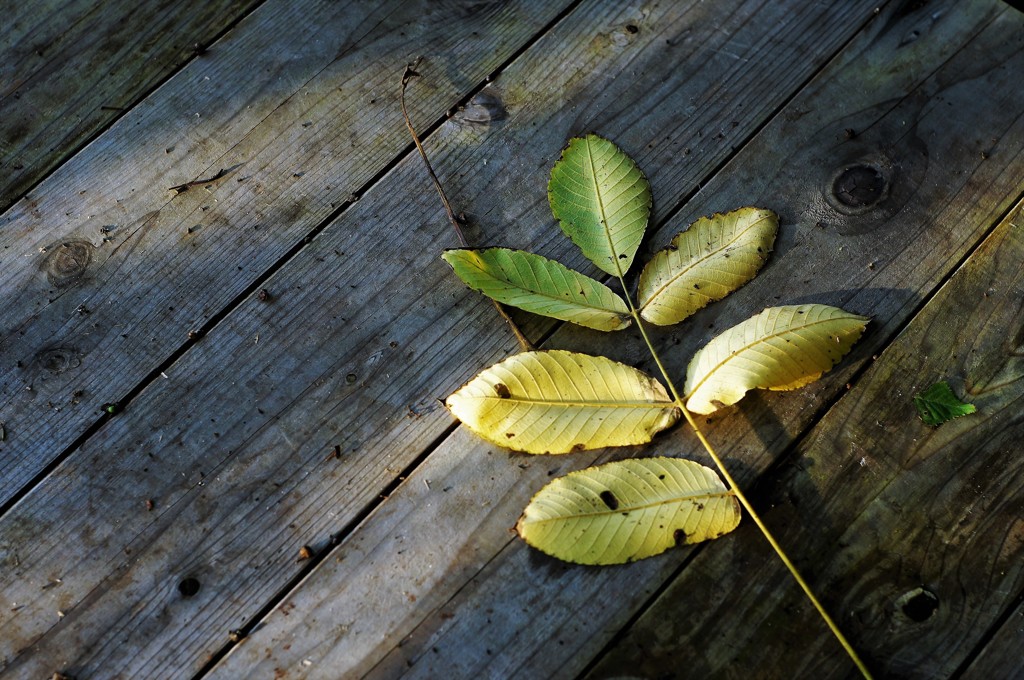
<point>628,511</point>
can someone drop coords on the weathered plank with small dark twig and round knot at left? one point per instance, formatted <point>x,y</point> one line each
<point>108,273</point>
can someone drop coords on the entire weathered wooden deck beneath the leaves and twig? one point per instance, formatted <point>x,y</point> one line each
<point>222,451</point>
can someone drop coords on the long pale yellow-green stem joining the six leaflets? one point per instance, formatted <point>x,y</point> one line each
<point>740,494</point>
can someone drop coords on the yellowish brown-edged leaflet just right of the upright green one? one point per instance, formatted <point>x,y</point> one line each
<point>712,259</point>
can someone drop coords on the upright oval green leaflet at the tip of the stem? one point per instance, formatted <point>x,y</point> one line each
<point>603,202</point>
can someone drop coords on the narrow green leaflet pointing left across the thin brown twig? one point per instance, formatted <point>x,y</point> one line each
<point>541,286</point>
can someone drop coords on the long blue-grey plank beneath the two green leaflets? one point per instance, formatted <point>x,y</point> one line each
<point>314,366</point>
